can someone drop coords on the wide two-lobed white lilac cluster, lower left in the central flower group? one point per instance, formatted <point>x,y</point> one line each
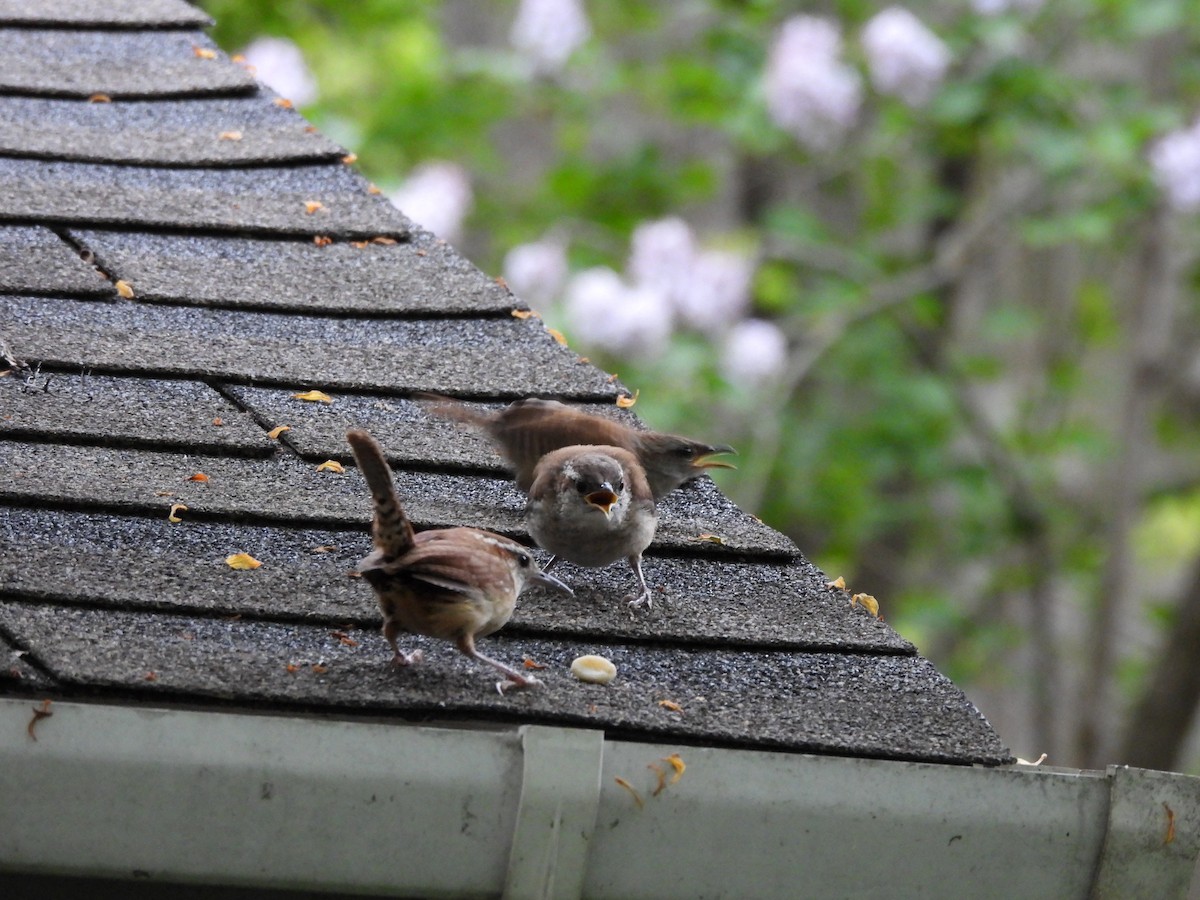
<point>604,313</point>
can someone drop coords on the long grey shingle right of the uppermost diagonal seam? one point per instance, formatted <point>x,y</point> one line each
<point>407,278</point>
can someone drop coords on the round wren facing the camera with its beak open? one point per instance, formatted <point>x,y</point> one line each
<point>593,507</point>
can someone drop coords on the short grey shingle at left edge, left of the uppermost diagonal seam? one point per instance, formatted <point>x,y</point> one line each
<point>35,260</point>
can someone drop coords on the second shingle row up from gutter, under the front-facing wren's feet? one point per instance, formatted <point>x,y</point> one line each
<point>305,577</point>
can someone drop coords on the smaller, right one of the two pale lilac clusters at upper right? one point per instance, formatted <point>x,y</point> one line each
<point>905,58</point>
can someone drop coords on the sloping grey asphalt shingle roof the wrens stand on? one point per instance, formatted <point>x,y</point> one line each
<point>236,309</point>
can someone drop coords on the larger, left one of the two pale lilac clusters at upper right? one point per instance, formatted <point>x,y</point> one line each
<point>811,92</point>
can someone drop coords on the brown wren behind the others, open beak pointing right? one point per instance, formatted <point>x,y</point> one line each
<point>527,430</point>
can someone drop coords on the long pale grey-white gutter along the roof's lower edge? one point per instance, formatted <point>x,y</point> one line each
<point>316,805</point>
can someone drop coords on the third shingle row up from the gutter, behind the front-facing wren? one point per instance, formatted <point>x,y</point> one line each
<point>290,490</point>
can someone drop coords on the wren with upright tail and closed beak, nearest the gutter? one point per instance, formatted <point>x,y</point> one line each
<point>453,584</point>
